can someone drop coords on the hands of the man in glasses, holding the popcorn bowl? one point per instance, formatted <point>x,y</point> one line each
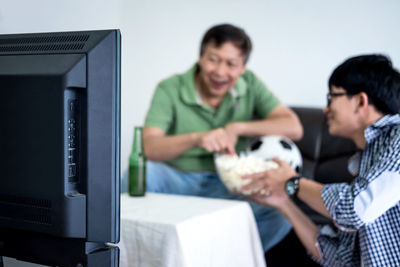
<point>272,183</point>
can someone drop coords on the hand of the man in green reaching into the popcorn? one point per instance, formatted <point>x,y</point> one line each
<point>217,140</point>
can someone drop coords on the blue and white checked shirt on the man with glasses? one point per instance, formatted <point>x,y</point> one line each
<point>367,211</point>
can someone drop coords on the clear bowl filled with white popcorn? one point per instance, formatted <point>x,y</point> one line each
<point>231,168</point>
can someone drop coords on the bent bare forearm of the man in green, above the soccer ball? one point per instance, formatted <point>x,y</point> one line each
<point>280,121</point>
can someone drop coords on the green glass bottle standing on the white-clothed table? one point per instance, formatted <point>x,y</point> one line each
<point>137,166</point>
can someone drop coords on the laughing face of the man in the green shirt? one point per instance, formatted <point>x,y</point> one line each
<point>220,67</point>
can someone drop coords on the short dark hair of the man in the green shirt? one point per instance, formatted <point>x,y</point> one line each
<point>223,33</point>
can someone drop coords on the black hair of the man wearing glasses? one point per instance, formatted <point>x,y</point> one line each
<point>374,75</point>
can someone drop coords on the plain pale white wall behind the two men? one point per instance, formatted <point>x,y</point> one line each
<point>296,43</point>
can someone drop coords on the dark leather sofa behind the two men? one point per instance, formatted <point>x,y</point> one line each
<point>325,160</point>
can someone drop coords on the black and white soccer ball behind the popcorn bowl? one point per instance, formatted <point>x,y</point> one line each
<point>275,146</point>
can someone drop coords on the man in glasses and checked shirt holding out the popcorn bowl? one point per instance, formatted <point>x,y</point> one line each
<point>363,105</point>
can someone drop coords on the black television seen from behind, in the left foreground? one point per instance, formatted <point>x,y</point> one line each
<point>60,147</point>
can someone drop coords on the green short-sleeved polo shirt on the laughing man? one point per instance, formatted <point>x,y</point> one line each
<point>175,108</point>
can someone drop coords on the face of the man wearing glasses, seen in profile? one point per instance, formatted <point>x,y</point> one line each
<point>342,114</point>
